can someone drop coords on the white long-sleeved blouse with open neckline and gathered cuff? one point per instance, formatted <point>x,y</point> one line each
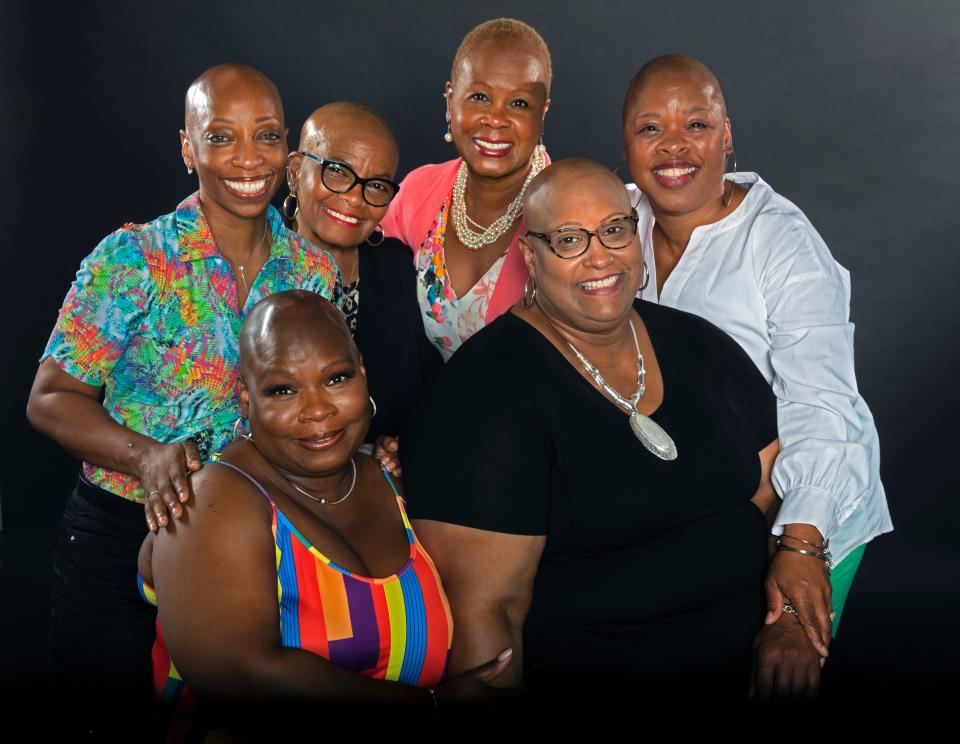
<point>766,277</point>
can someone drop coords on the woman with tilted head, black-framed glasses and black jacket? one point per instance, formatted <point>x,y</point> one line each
<point>341,181</point>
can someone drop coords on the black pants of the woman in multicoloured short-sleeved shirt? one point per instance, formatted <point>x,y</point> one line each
<point>101,630</point>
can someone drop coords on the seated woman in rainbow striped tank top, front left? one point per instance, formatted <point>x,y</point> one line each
<point>293,517</point>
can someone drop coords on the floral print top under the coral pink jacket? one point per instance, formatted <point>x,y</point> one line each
<point>449,320</point>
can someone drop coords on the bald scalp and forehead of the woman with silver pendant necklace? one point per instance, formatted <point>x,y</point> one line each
<point>569,185</point>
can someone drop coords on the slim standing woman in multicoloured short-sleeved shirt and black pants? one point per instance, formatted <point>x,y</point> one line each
<point>152,322</point>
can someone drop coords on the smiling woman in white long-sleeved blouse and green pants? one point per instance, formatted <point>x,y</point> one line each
<point>732,250</point>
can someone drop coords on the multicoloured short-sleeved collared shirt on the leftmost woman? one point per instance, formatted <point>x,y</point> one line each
<point>153,318</point>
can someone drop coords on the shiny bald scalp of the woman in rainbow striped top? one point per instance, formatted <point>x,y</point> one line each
<point>294,316</point>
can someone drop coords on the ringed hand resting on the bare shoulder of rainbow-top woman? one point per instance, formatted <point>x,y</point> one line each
<point>164,472</point>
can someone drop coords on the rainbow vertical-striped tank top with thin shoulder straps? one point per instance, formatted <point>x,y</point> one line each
<point>398,628</point>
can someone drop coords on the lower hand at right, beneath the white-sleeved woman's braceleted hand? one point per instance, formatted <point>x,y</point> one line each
<point>786,667</point>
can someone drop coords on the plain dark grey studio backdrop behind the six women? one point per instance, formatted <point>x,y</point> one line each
<point>850,109</point>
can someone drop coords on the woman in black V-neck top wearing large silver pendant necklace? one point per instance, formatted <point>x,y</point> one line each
<point>597,545</point>
